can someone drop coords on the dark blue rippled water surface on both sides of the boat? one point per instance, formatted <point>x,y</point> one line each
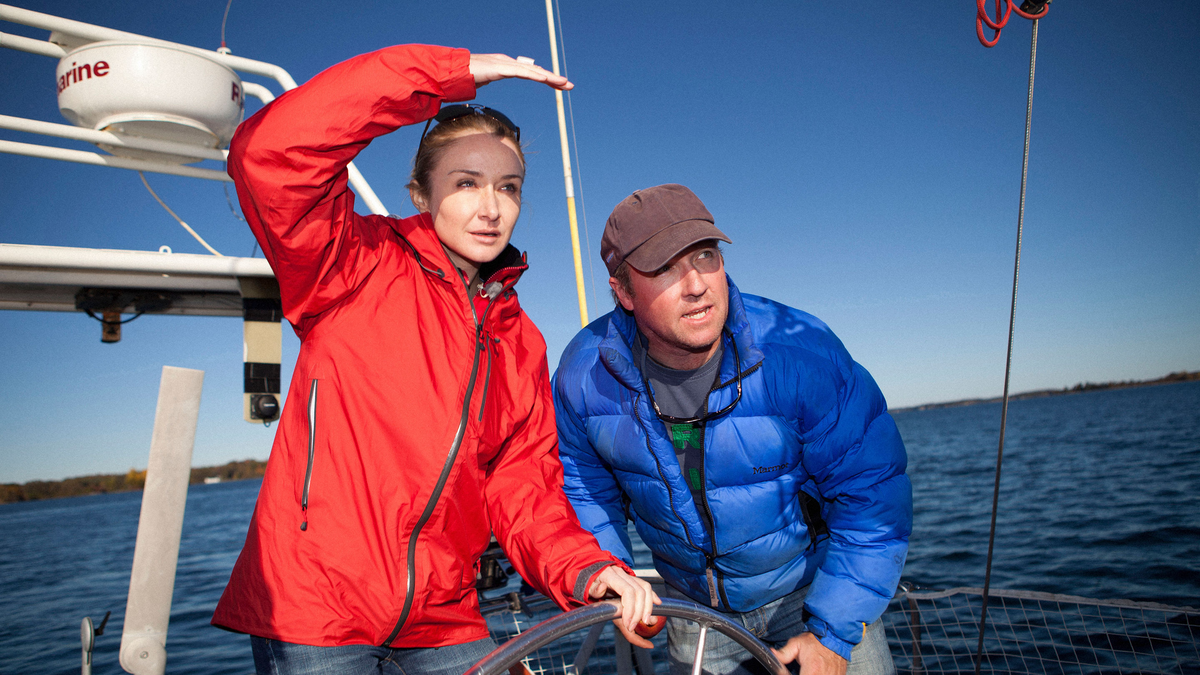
<point>1101,498</point>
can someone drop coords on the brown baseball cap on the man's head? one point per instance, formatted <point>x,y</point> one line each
<point>652,226</point>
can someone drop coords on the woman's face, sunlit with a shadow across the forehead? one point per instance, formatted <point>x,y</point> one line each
<point>475,199</point>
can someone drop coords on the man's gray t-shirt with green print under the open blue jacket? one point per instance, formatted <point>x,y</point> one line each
<point>683,393</point>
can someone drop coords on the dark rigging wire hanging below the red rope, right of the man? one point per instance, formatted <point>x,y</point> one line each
<point>1012,324</point>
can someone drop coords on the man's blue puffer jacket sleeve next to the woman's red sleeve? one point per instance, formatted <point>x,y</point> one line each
<point>590,485</point>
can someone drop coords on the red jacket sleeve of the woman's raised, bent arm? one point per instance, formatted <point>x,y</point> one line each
<point>290,160</point>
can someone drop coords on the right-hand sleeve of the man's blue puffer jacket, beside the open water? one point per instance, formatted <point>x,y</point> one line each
<point>859,461</point>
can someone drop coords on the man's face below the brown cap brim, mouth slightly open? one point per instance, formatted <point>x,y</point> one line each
<point>682,307</point>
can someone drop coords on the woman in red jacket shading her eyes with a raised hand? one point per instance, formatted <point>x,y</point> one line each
<point>419,421</point>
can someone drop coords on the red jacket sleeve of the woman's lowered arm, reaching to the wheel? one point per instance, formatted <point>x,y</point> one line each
<point>531,516</point>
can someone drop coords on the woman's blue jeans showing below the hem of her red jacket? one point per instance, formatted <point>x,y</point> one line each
<point>273,658</point>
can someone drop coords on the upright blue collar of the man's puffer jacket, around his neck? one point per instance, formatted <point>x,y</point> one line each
<point>617,354</point>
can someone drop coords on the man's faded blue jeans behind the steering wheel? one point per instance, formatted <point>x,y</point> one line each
<point>775,624</point>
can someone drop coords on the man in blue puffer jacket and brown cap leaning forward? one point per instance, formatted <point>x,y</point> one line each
<point>757,459</point>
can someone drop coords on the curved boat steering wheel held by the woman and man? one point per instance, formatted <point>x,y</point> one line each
<point>513,652</point>
